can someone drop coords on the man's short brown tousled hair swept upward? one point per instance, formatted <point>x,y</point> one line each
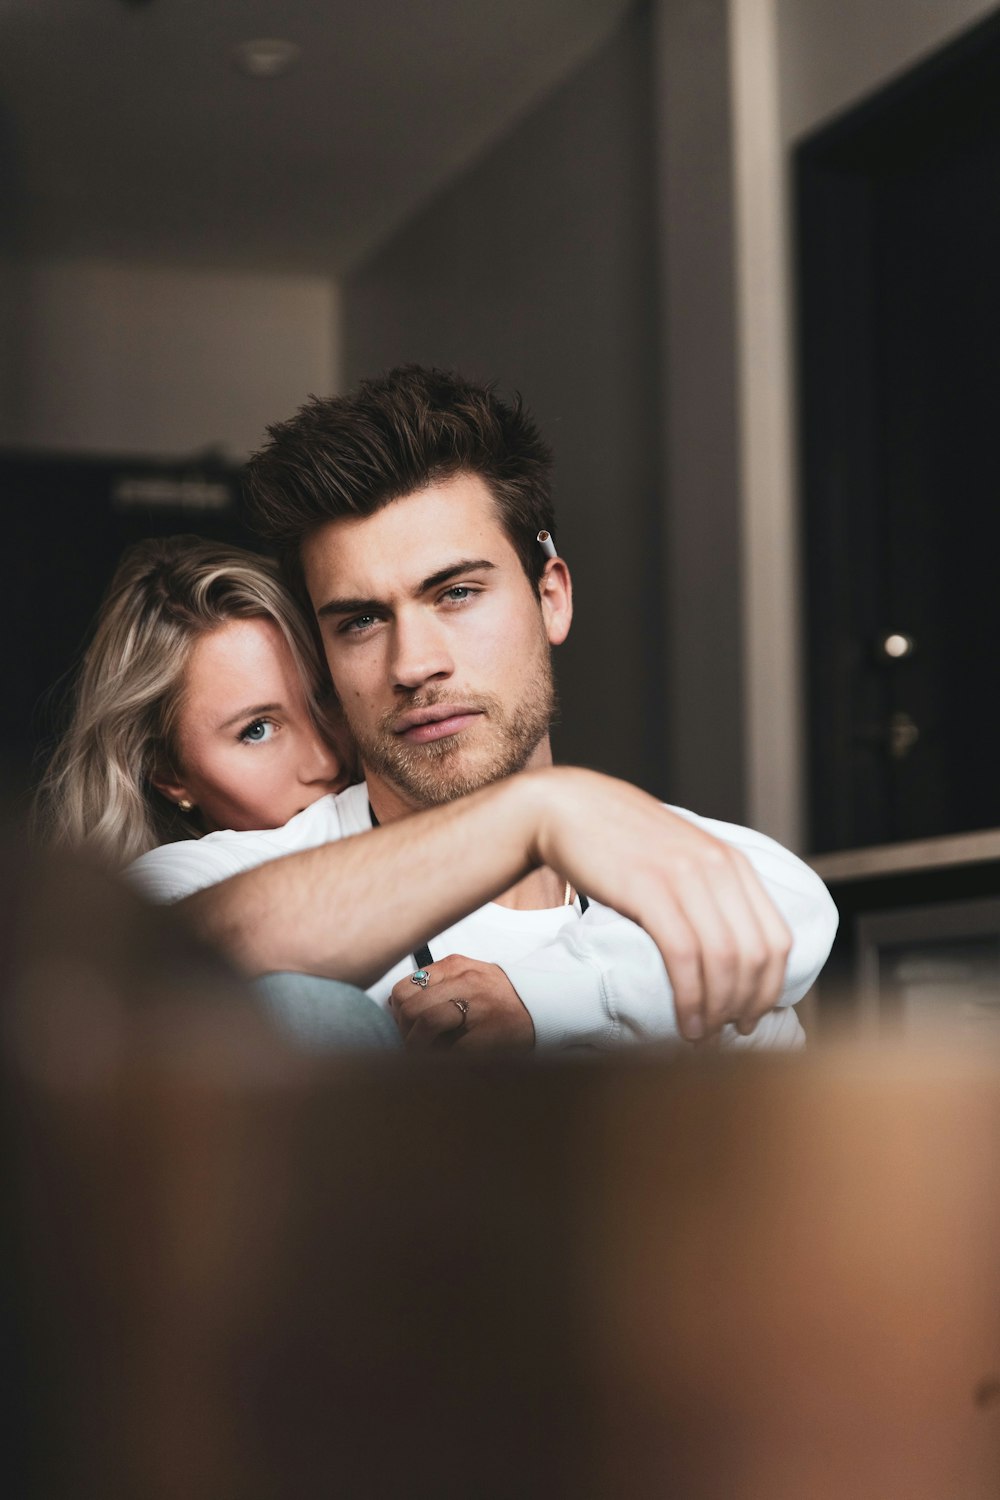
<point>353,455</point>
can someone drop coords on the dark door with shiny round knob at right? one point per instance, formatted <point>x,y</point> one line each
<point>900,355</point>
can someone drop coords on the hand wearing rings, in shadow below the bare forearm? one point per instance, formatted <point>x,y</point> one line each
<point>494,1016</point>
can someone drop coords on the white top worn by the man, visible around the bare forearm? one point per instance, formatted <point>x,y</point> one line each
<point>594,980</point>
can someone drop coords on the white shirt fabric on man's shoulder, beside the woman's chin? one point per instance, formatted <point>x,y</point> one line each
<point>181,869</point>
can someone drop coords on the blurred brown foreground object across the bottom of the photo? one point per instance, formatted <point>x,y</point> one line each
<point>248,1273</point>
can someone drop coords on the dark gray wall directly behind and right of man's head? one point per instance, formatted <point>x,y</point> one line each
<point>539,269</point>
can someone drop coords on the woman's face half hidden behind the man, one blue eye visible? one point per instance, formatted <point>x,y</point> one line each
<point>248,751</point>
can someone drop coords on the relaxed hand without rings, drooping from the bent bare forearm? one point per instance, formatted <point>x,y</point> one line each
<point>723,941</point>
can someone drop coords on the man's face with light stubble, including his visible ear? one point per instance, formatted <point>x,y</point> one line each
<point>437,641</point>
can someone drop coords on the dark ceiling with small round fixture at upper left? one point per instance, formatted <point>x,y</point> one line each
<point>128,131</point>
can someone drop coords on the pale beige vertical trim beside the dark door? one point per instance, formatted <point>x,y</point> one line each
<point>774,754</point>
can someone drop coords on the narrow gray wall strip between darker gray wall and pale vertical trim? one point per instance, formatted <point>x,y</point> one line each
<point>701,436</point>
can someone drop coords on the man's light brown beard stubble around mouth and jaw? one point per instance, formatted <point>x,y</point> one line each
<point>440,770</point>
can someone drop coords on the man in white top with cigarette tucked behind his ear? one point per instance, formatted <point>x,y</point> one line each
<point>409,518</point>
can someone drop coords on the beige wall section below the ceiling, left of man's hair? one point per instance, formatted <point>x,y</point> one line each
<point>160,361</point>
